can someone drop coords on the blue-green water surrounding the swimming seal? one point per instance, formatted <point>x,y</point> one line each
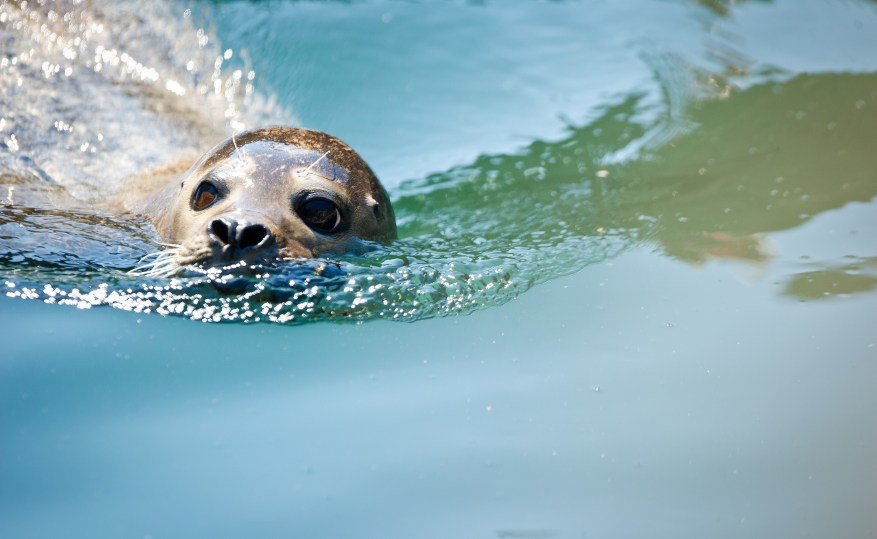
<point>657,213</point>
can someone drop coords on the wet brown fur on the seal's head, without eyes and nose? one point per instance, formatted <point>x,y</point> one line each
<point>371,214</point>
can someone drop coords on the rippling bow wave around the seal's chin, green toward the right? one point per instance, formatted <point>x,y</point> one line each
<point>472,237</point>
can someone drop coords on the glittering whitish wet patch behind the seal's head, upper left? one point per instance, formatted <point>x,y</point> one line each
<point>91,93</point>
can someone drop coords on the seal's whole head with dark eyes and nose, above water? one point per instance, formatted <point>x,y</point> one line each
<point>273,193</point>
